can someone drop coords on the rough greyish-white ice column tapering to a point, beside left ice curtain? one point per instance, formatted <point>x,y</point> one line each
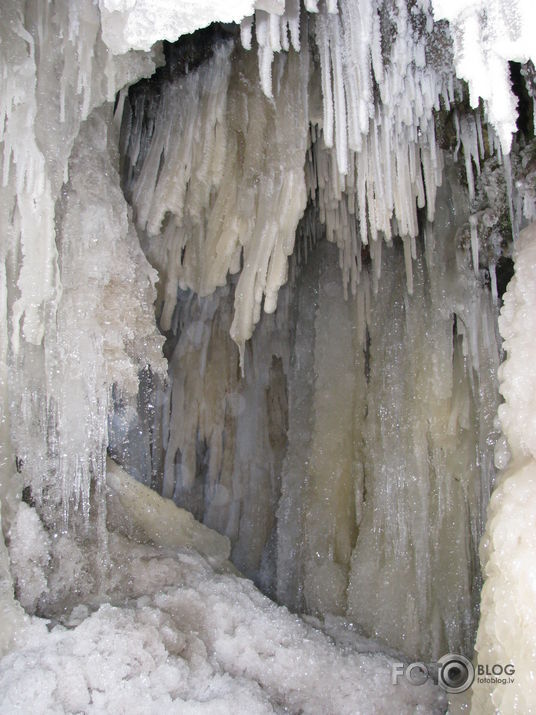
<point>104,330</point>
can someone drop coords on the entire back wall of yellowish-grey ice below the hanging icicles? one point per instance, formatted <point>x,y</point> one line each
<point>232,459</point>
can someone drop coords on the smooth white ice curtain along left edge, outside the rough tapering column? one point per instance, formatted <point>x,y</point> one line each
<point>55,70</point>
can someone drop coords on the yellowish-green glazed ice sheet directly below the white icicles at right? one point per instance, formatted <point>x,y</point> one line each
<point>350,445</point>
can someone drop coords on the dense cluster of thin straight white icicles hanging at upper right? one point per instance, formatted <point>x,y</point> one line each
<point>378,159</point>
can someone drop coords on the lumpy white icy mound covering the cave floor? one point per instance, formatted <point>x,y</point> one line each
<point>166,630</point>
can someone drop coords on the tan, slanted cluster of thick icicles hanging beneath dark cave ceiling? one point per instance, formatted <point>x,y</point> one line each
<point>218,184</point>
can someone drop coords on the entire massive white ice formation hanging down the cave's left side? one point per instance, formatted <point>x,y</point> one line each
<point>62,344</point>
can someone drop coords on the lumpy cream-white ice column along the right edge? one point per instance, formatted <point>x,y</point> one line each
<point>507,630</point>
